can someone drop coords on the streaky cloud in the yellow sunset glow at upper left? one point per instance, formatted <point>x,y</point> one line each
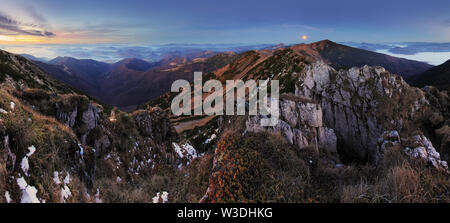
<point>12,26</point>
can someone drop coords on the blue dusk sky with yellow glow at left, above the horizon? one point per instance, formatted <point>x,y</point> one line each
<point>146,22</point>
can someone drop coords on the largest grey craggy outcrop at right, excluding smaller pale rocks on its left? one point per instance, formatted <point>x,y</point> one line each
<point>359,104</point>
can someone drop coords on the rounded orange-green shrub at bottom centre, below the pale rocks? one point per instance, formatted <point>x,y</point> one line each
<point>248,170</point>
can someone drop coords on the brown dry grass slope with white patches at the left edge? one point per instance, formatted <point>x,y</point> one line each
<point>55,145</point>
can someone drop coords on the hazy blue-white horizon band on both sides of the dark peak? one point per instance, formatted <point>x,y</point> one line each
<point>111,53</point>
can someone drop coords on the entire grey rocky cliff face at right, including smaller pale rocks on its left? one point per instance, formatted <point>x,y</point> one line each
<point>346,111</point>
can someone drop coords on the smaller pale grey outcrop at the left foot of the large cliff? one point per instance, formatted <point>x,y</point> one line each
<point>301,123</point>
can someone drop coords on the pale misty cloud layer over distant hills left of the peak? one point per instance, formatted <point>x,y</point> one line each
<point>116,52</point>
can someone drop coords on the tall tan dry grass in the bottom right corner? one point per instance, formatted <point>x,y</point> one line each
<point>399,179</point>
